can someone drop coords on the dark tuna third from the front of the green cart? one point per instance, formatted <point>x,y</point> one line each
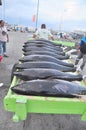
<point>43,64</point>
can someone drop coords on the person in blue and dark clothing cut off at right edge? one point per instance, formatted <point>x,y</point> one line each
<point>82,48</point>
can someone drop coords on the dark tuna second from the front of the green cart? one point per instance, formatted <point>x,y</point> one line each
<point>38,73</point>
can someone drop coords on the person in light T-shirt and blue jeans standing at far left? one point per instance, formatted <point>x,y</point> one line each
<point>4,38</point>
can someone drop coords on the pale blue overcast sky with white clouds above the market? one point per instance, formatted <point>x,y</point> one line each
<point>56,14</point>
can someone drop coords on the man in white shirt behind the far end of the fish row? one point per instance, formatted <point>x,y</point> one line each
<point>43,33</point>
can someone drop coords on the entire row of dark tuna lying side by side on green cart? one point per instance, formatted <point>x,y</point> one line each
<point>45,71</point>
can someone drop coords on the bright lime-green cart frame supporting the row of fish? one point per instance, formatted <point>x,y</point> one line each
<point>22,105</point>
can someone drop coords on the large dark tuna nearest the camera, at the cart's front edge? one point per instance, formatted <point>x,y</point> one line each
<point>50,88</point>
